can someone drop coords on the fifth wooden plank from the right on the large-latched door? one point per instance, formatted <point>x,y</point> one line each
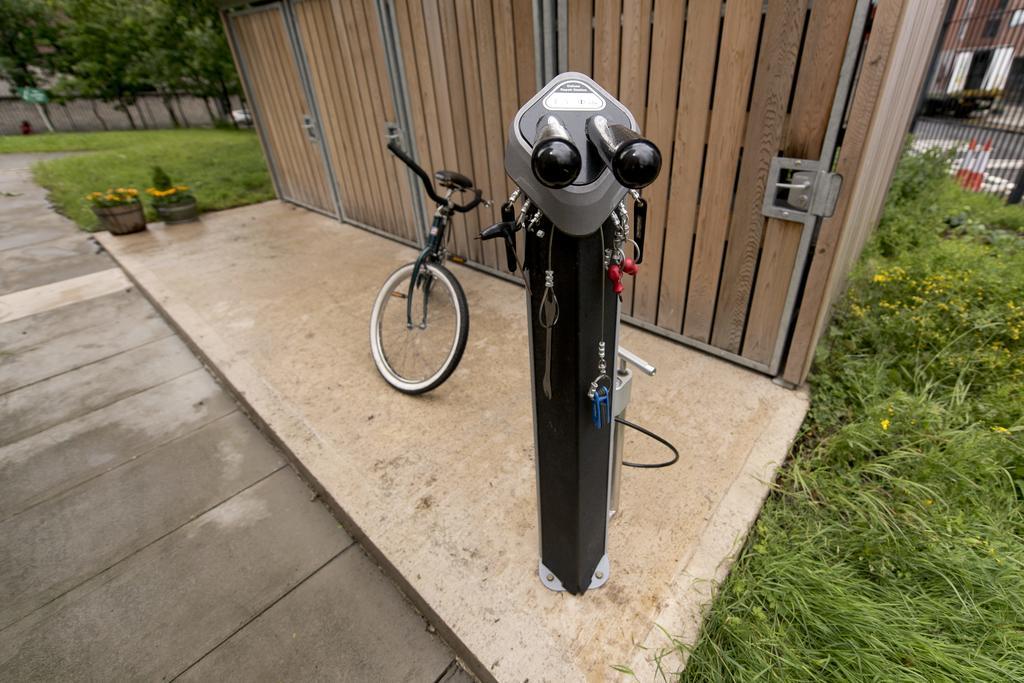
<point>660,127</point>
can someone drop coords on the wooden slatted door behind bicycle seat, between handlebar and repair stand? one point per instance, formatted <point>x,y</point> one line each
<point>470,66</point>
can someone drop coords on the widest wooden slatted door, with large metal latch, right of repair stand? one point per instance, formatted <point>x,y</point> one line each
<point>722,89</point>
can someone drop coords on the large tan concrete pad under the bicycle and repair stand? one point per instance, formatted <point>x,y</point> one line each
<point>442,488</point>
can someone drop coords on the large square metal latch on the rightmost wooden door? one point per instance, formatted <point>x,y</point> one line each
<point>800,188</point>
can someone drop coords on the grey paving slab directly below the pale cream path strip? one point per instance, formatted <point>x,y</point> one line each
<point>69,337</point>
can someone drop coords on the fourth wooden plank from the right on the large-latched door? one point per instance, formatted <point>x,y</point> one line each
<point>703,26</point>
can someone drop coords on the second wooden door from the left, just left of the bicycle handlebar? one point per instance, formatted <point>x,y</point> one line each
<point>342,42</point>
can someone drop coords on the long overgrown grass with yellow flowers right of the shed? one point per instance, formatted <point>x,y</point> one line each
<point>893,546</point>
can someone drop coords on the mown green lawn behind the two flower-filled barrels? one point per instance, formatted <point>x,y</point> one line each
<point>225,168</point>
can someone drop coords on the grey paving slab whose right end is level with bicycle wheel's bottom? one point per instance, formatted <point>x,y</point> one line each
<point>53,461</point>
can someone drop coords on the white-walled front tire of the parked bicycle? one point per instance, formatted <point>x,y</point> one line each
<point>398,282</point>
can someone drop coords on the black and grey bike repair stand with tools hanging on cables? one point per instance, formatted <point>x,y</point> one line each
<point>575,153</point>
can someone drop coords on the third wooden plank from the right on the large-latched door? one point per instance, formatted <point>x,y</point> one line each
<point>736,67</point>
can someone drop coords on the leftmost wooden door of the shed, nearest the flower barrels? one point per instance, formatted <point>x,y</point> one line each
<point>283,114</point>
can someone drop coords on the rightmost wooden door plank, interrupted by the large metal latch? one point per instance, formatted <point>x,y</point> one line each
<point>819,79</point>
